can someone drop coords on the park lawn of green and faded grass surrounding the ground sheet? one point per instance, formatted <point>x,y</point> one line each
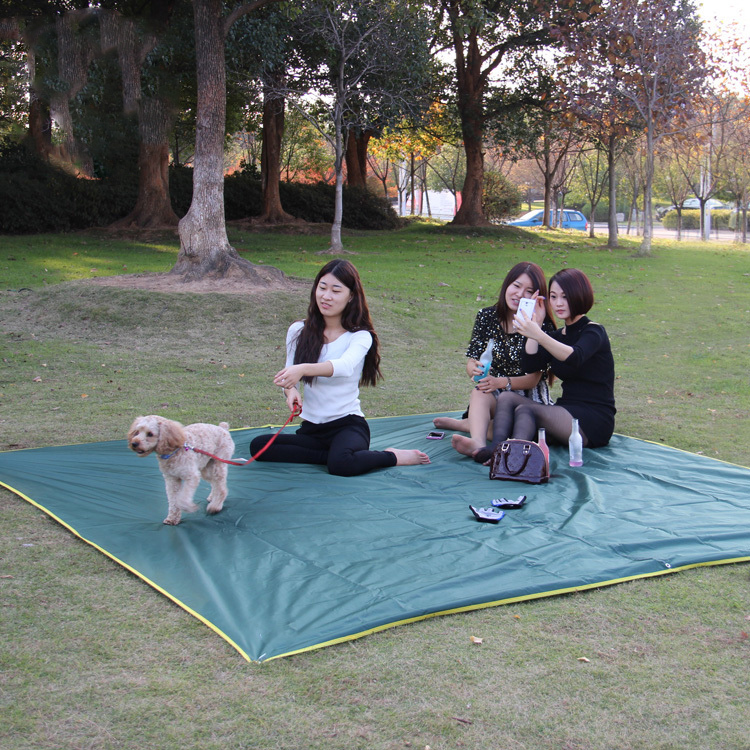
<point>90,657</point>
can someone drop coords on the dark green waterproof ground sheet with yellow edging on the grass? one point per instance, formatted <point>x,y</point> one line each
<point>299,559</point>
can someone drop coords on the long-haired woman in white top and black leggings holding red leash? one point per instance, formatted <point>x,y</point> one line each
<point>331,353</point>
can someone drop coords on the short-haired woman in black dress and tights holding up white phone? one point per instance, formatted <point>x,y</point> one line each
<point>579,354</point>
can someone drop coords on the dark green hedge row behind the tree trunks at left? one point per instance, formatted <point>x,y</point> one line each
<point>36,197</point>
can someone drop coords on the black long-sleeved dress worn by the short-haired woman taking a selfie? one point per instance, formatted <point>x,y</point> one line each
<point>587,375</point>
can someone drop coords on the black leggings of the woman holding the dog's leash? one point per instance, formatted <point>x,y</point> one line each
<point>342,445</point>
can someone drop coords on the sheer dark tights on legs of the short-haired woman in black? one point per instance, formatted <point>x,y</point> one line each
<point>519,417</point>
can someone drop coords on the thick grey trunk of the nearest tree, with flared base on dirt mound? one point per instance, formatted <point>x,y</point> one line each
<point>204,246</point>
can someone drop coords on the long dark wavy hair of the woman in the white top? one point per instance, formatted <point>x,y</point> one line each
<point>355,317</point>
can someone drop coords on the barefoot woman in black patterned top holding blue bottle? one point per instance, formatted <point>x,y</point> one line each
<point>506,372</point>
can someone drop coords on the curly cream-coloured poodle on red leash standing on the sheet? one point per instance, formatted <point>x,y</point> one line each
<point>181,466</point>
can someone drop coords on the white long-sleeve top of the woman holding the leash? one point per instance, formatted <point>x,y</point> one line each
<point>329,398</point>
